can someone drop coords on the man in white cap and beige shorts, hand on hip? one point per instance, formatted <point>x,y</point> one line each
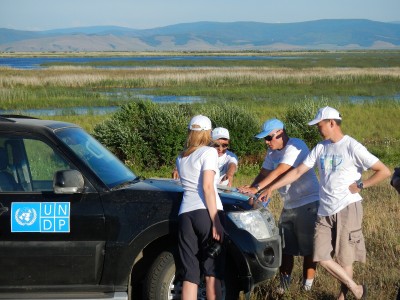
<point>340,160</point>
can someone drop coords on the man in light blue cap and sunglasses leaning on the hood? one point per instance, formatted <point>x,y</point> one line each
<point>301,199</point>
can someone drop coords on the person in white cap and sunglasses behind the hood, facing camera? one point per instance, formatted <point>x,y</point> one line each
<point>227,160</point>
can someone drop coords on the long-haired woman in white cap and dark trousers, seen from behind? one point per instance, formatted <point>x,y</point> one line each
<point>201,212</point>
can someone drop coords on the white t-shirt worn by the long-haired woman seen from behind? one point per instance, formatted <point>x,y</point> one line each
<point>190,169</point>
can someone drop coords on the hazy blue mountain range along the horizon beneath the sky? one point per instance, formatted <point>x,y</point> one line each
<point>211,36</point>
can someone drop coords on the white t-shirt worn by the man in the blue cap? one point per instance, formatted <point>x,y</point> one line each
<point>305,189</point>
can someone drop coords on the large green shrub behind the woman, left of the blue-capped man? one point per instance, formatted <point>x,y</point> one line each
<point>149,136</point>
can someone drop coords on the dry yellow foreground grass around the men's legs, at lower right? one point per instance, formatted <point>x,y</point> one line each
<point>381,273</point>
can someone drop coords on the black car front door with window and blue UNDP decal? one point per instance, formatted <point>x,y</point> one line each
<point>45,238</point>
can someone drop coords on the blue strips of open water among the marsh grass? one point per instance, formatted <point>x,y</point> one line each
<point>40,62</point>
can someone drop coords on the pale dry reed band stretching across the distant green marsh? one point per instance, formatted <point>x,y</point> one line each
<point>160,76</point>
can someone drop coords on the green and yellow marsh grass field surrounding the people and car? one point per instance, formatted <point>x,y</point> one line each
<point>266,90</point>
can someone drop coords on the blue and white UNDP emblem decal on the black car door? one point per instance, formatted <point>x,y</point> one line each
<point>40,217</point>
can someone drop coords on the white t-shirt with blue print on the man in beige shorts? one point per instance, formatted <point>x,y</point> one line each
<point>340,164</point>
